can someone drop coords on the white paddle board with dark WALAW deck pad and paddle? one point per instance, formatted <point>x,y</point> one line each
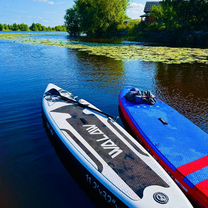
<point>116,165</point>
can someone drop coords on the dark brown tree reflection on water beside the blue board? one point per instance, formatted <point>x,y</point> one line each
<point>185,87</point>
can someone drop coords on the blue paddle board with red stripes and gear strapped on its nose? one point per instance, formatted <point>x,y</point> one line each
<point>179,145</point>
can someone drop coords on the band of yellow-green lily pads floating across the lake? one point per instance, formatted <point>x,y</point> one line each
<point>166,55</point>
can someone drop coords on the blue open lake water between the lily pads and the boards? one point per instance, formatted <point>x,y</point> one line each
<point>31,171</point>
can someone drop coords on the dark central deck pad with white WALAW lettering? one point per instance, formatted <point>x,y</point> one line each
<point>136,173</point>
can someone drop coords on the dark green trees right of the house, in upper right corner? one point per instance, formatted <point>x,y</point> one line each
<point>180,15</point>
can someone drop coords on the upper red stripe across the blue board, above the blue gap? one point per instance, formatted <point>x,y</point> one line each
<point>194,166</point>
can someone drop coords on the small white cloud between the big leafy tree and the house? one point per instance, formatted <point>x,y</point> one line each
<point>135,10</point>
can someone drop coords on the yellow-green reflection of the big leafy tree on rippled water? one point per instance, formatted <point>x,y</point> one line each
<point>101,69</point>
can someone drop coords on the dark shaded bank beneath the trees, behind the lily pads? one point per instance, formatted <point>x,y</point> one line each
<point>193,39</point>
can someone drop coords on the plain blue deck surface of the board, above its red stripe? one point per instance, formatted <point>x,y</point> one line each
<point>180,142</point>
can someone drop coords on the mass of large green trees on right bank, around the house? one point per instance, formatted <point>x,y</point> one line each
<point>108,18</point>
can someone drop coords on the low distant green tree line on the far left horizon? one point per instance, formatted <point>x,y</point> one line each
<point>34,27</point>
